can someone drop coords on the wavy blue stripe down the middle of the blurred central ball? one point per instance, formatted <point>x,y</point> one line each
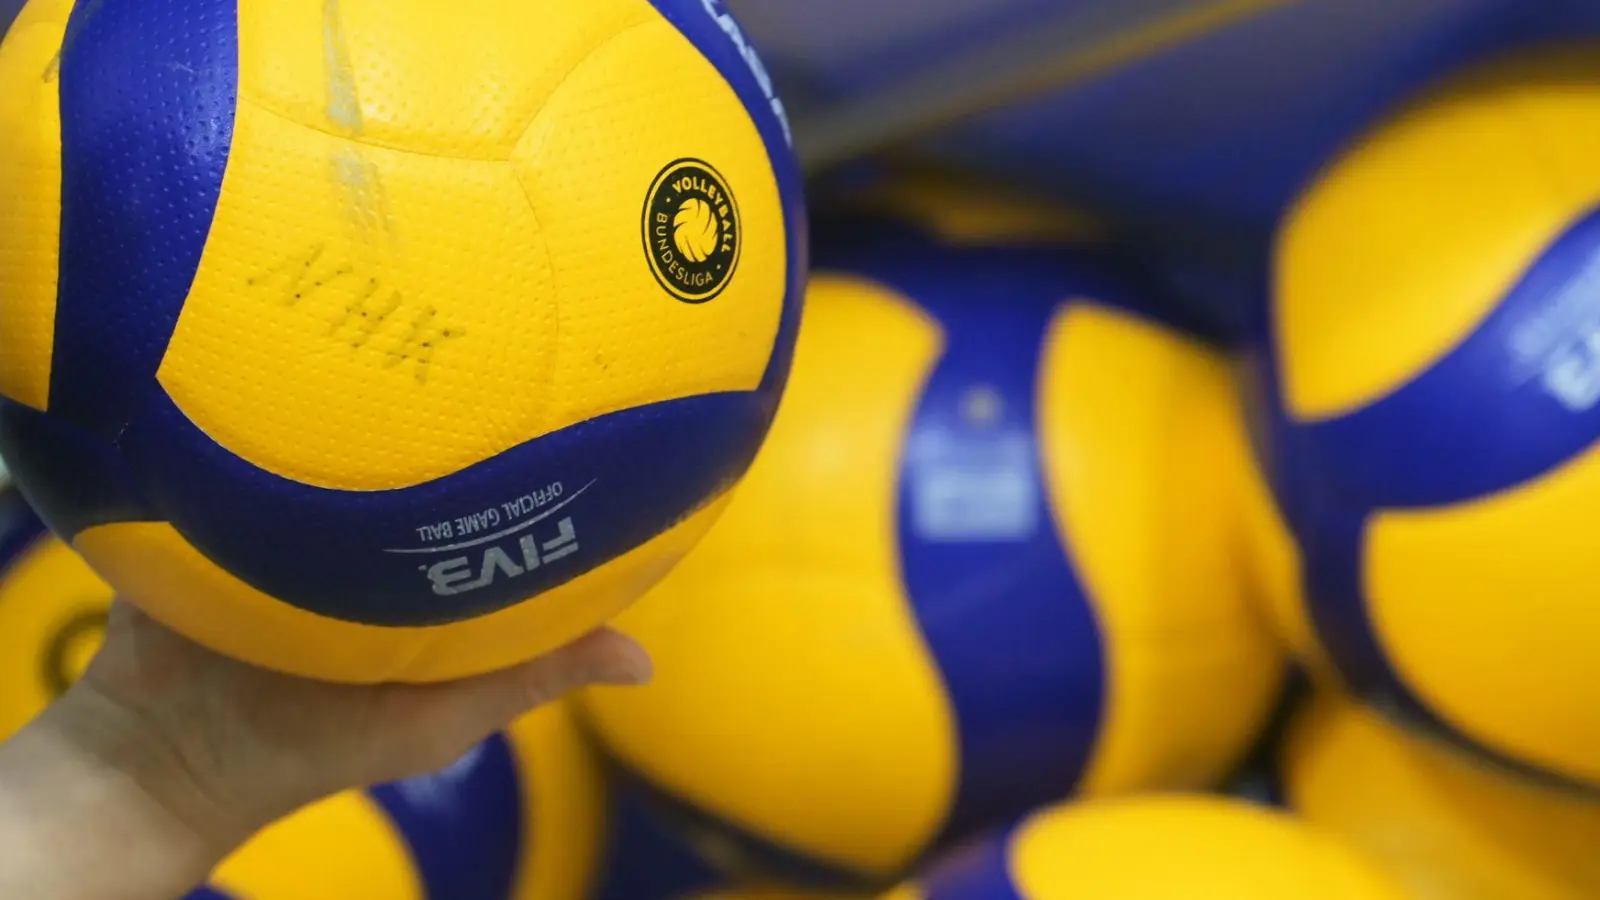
<point>996,595</point>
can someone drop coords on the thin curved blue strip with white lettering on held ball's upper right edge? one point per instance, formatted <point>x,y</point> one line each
<point>719,38</point>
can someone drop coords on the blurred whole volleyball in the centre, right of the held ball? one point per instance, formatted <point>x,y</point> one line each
<point>988,558</point>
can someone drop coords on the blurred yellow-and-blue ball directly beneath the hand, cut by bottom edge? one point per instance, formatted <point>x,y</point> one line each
<point>518,819</point>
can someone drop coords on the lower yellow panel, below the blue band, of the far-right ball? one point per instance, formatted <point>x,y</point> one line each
<point>1516,654</point>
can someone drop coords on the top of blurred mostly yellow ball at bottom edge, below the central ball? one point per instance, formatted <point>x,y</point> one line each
<point>1156,850</point>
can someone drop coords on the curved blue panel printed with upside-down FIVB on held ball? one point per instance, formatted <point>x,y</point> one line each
<point>460,547</point>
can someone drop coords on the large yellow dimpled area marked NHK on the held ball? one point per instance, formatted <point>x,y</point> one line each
<point>345,276</point>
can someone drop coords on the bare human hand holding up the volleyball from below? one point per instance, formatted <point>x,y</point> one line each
<point>186,753</point>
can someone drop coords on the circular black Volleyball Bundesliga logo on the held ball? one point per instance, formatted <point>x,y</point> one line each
<point>692,231</point>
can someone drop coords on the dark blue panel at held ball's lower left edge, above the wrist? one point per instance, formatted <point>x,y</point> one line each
<point>74,480</point>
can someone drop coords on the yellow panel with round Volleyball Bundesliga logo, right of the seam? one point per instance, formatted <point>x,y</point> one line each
<point>625,342</point>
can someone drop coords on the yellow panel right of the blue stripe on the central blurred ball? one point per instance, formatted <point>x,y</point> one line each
<point>1121,494</point>
